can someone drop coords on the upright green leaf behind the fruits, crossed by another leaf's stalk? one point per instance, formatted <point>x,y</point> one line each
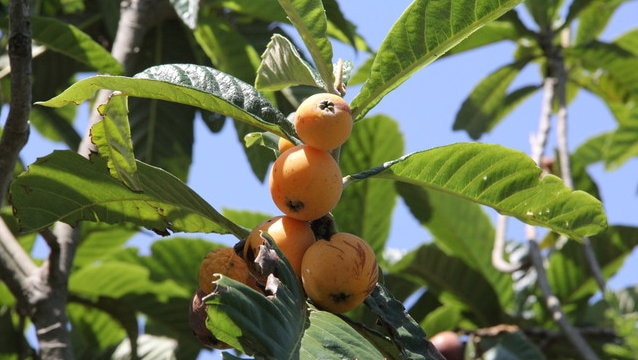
<point>366,207</point>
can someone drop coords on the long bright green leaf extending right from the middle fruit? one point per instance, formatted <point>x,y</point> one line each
<point>504,179</point>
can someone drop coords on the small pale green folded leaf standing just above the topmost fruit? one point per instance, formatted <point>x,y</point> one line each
<point>282,66</point>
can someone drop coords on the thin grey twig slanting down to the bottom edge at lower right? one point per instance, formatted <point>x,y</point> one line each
<point>553,305</point>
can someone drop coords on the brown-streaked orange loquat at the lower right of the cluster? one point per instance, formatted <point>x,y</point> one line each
<point>337,275</point>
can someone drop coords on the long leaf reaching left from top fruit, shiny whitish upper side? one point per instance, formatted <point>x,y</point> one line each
<point>194,85</point>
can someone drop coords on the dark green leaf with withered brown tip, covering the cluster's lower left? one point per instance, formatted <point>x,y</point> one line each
<point>268,327</point>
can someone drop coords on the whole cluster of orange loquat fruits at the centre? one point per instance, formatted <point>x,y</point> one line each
<point>338,270</point>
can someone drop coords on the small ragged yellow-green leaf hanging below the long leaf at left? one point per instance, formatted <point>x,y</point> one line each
<point>112,136</point>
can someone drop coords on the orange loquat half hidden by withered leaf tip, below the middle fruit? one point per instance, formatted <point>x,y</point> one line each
<point>292,236</point>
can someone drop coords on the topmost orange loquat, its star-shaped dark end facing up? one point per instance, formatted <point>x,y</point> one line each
<point>323,121</point>
